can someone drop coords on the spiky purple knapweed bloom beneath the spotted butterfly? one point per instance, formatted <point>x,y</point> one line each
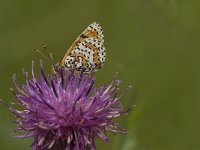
<point>66,111</point>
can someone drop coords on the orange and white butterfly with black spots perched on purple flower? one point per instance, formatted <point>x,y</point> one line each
<point>86,52</point>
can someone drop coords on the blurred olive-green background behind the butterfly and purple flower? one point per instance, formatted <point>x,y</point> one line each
<point>153,44</point>
